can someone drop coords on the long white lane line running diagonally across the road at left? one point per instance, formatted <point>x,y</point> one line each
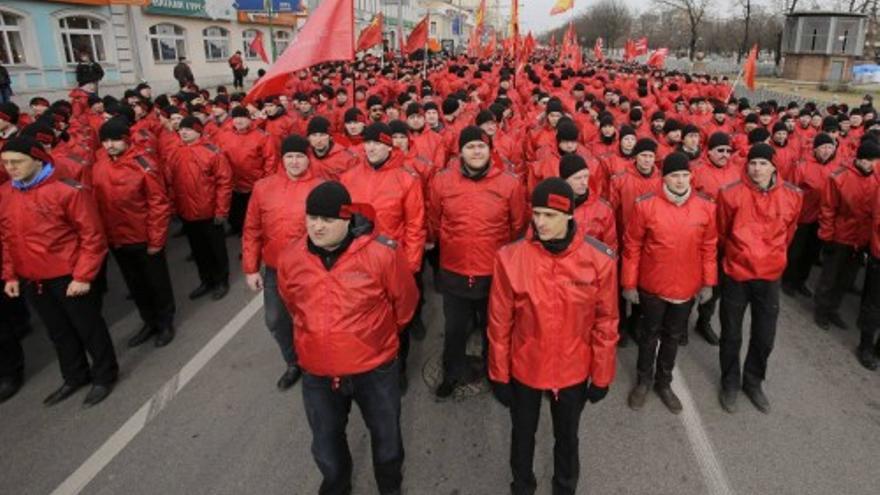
<point>126,433</point>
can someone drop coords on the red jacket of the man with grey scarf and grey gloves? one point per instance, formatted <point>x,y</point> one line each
<point>669,250</point>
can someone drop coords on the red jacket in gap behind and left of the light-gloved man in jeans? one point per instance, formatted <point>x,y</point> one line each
<point>251,154</point>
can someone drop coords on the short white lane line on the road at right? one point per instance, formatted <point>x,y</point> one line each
<point>713,473</point>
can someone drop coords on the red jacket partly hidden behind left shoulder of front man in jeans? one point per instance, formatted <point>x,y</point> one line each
<point>276,215</point>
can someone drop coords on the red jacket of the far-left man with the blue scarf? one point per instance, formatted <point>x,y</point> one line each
<point>50,231</point>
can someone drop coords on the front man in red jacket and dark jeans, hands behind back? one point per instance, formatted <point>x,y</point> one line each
<point>351,293</point>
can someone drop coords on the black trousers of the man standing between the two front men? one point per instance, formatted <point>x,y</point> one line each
<point>460,313</point>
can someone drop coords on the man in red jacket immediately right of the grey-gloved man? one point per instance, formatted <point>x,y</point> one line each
<point>757,218</point>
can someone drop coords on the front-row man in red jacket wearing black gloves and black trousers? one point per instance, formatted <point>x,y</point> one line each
<point>552,327</point>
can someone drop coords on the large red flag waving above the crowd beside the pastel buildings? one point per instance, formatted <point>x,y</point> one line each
<point>327,36</point>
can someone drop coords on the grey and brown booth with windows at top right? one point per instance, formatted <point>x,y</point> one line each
<point>822,46</point>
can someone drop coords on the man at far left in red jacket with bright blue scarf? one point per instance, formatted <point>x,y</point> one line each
<point>53,247</point>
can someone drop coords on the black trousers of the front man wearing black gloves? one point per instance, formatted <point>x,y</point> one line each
<point>525,410</point>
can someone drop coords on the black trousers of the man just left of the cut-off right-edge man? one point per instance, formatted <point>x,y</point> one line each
<point>840,264</point>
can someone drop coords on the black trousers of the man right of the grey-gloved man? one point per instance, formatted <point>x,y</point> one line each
<point>763,298</point>
